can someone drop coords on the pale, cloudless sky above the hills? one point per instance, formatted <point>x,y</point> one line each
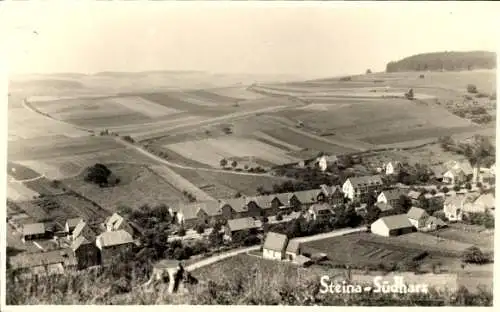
<point>312,39</point>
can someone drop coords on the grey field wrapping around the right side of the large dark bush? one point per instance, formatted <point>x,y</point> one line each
<point>138,185</point>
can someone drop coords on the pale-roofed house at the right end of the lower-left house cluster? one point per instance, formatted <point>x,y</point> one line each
<point>113,244</point>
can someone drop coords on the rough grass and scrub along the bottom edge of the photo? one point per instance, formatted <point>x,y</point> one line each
<point>269,283</point>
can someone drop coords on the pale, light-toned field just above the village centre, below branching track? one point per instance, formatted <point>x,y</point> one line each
<point>211,151</point>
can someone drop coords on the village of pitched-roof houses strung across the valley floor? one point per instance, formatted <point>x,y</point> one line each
<point>362,203</point>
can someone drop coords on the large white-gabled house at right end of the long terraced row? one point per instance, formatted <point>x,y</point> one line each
<point>358,188</point>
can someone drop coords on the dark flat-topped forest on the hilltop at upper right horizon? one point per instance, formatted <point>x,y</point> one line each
<point>449,61</point>
